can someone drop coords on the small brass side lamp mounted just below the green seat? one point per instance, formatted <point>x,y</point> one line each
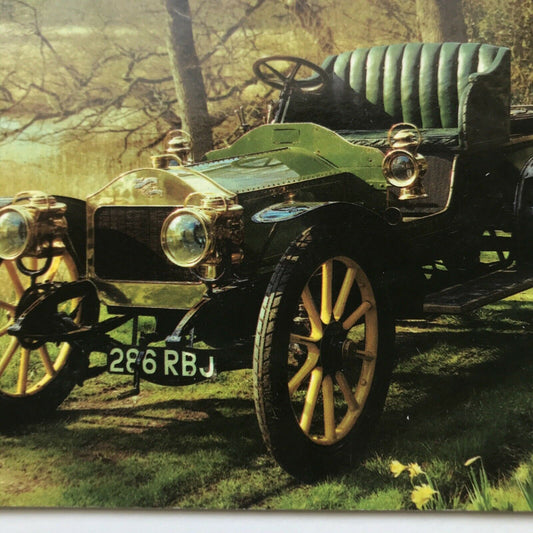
<point>403,166</point>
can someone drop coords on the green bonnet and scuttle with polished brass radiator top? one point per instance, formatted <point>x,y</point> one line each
<point>263,159</point>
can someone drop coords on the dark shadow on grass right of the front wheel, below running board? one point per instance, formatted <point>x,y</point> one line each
<point>462,387</point>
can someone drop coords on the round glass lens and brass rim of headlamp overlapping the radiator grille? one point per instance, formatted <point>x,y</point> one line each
<point>186,237</point>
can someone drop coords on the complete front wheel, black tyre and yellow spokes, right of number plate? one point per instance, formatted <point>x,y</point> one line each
<point>323,355</point>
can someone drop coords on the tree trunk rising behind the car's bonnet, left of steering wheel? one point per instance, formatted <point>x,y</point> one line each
<point>188,78</point>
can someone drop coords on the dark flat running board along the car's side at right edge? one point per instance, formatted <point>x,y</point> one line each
<point>478,292</point>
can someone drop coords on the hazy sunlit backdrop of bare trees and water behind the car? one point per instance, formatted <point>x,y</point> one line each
<point>90,81</point>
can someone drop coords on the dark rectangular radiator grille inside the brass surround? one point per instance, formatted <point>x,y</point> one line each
<point>127,245</point>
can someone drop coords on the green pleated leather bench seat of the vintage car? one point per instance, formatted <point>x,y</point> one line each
<point>458,94</point>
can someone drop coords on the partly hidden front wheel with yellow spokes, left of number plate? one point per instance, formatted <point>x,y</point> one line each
<point>43,391</point>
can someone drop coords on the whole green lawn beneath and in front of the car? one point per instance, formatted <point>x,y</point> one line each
<point>461,388</point>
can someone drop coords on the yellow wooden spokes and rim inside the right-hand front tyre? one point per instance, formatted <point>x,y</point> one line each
<point>333,350</point>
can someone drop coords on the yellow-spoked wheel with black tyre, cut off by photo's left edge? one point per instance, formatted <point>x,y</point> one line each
<point>33,382</point>
